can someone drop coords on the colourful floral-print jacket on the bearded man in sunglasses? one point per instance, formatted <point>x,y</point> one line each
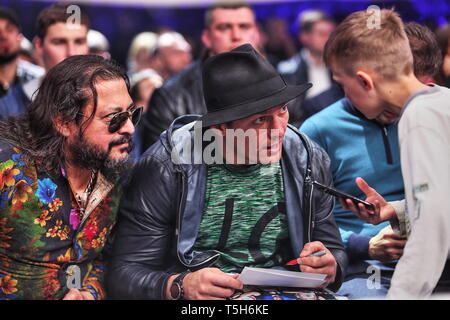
<point>42,234</point>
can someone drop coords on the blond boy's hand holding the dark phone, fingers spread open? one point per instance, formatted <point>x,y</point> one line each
<point>383,210</point>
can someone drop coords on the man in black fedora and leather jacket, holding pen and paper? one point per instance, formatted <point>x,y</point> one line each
<point>224,191</point>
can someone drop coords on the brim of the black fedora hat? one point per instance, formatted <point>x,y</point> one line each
<point>247,109</point>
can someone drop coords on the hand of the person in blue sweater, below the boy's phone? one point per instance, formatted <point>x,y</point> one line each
<point>386,245</point>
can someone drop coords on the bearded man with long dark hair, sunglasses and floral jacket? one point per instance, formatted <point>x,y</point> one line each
<point>59,164</point>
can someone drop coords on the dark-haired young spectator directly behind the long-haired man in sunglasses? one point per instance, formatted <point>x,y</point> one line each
<point>57,39</point>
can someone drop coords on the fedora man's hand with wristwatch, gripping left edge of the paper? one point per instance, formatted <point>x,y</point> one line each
<point>208,284</point>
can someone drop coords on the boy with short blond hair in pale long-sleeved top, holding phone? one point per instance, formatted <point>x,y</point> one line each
<point>372,60</point>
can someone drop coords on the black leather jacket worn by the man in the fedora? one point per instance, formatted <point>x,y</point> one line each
<point>162,208</point>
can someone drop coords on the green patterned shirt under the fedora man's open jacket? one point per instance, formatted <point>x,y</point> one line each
<point>244,217</point>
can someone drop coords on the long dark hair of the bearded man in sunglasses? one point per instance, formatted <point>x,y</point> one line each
<point>64,93</point>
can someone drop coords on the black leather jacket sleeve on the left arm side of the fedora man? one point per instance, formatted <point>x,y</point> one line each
<point>145,232</point>
